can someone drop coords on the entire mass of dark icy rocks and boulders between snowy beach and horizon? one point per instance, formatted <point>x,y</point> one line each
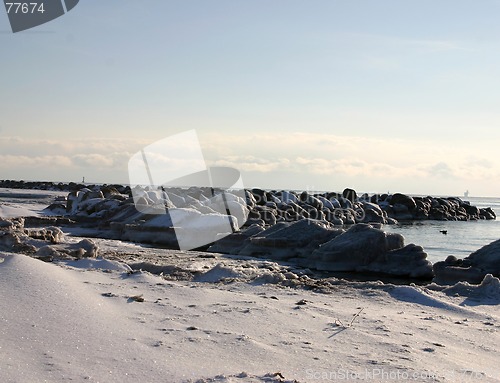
<point>279,227</point>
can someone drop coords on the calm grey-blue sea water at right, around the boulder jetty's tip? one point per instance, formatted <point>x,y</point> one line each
<point>462,239</point>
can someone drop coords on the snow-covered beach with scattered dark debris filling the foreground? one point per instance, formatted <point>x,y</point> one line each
<point>136,312</point>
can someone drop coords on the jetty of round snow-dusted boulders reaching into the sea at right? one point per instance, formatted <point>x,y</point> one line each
<point>270,207</point>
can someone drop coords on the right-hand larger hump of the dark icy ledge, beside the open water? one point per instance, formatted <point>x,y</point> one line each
<point>364,248</point>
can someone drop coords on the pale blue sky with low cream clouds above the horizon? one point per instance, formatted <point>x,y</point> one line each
<point>311,95</point>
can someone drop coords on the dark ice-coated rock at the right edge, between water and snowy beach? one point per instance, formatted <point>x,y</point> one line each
<point>472,269</point>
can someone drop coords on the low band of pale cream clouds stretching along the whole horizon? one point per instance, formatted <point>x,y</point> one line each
<point>292,160</point>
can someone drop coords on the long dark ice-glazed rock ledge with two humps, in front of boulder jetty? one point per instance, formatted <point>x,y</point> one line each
<point>313,244</point>
